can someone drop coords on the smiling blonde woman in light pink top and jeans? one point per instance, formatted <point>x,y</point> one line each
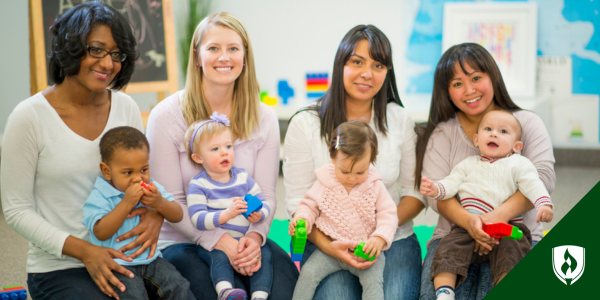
<point>220,77</point>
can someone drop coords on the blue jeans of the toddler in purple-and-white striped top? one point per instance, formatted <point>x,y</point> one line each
<point>221,269</point>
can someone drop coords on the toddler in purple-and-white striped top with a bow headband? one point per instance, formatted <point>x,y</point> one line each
<point>214,200</point>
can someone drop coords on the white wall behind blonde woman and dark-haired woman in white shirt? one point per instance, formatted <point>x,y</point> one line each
<point>291,38</point>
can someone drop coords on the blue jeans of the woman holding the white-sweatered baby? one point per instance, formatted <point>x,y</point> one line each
<point>475,287</point>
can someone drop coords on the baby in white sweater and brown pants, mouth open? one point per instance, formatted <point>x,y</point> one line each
<point>483,183</point>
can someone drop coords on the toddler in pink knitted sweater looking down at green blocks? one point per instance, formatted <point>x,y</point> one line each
<point>348,202</point>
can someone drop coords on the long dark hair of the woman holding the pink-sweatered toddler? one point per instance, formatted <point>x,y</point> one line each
<point>331,108</point>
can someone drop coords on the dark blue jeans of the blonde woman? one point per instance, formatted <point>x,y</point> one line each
<point>185,258</point>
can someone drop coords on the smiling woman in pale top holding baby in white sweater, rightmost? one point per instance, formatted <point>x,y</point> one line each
<point>468,84</point>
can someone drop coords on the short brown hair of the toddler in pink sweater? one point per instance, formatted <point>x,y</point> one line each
<point>353,139</point>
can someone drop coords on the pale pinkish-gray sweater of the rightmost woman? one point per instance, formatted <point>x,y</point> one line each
<point>449,145</point>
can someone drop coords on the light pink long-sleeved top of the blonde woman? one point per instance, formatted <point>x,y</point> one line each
<point>169,165</point>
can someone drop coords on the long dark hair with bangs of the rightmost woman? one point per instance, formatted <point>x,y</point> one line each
<point>442,108</point>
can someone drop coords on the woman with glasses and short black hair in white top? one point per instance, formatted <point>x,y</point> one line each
<point>50,156</point>
